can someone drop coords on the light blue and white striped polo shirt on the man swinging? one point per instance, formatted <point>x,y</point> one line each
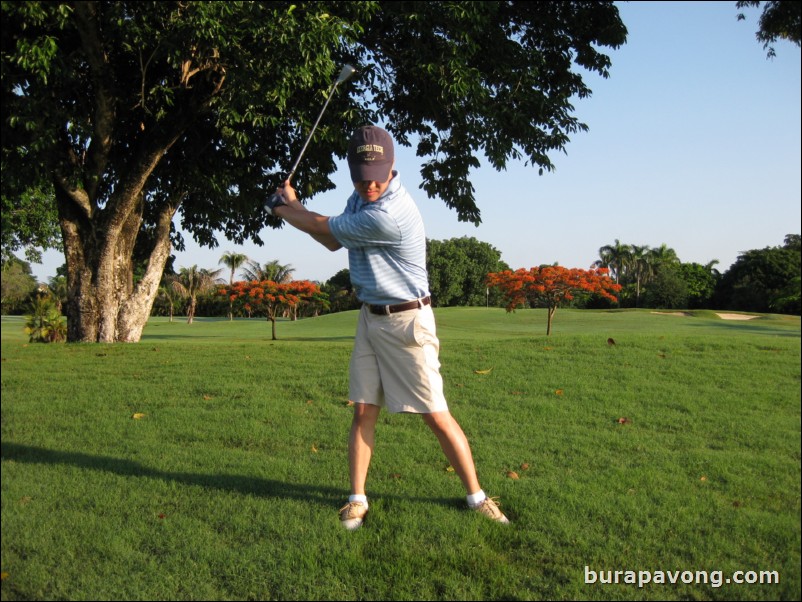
<point>386,246</point>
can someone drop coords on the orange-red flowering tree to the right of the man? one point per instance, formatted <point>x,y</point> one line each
<point>549,286</point>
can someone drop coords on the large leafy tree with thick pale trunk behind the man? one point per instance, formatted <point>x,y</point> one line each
<point>136,113</point>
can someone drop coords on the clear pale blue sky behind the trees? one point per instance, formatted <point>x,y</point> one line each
<point>694,142</point>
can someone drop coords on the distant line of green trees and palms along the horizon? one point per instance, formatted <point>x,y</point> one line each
<point>761,280</point>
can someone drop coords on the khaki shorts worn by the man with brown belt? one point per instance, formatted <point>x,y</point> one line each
<point>395,362</point>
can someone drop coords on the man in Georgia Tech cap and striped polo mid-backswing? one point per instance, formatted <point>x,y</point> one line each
<point>394,363</point>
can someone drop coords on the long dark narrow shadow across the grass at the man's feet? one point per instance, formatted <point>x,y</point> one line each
<point>268,488</point>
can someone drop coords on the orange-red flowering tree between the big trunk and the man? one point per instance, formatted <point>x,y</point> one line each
<point>272,299</point>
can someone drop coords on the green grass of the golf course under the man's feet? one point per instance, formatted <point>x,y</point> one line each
<point>228,487</point>
